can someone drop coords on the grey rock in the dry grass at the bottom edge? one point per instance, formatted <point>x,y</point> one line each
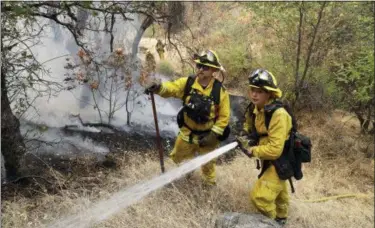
<point>239,220</point>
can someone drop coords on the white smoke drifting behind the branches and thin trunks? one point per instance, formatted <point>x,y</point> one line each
<point>56,111</point>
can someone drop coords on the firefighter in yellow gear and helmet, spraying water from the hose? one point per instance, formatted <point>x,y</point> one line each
<point>270,193</point>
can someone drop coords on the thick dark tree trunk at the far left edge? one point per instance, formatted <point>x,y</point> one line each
<point>12,144</point>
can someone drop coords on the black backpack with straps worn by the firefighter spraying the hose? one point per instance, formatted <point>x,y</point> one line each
<point>297,148</point>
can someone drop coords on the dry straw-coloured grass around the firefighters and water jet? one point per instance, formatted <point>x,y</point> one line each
<point>340,165</point>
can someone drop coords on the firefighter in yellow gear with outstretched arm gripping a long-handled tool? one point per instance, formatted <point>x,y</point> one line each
<point>203,121</point>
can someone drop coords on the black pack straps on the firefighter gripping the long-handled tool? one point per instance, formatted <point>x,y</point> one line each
<point>215,95</point>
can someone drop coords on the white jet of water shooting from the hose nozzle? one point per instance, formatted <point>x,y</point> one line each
<point>122,199</point>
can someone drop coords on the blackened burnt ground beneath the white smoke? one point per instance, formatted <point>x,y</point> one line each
<point>118,142</point>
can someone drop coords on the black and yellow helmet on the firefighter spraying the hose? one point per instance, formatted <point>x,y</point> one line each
<point>262,78</point>
